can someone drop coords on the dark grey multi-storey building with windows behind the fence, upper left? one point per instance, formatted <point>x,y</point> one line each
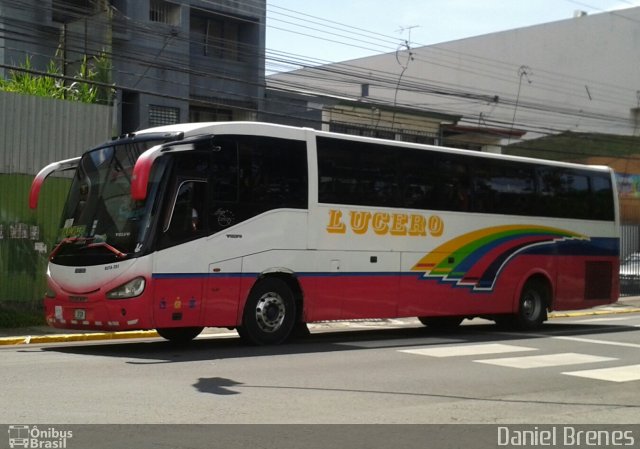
<point>171,61</point>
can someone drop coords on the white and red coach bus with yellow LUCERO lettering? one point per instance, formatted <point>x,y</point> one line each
<point>263,228</point>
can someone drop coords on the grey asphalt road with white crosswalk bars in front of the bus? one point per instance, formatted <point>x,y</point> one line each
<point>574,370</point>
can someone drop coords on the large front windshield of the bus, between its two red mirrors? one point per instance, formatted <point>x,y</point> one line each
<point>100,218</point>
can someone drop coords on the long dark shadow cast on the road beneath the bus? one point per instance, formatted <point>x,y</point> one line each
<point>158,351</point>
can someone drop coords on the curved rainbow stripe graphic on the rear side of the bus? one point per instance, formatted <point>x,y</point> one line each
<point>476,259</point>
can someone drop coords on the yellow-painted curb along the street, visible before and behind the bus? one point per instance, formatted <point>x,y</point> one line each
<point>98,336</point>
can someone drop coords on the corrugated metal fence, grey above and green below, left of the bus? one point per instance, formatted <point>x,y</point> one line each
<point>35,132</point>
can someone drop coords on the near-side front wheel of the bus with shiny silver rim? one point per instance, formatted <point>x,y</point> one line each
<point>269,314</point>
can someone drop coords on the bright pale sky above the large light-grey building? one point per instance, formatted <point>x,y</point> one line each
<point>317,32</point>
